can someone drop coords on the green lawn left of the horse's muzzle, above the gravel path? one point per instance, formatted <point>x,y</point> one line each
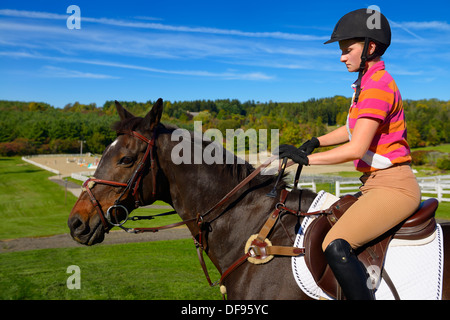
<point>30,204</point>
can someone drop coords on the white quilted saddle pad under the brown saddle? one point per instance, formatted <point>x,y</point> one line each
<point>415,267</point>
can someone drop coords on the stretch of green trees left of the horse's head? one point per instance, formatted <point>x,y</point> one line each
<point>37,128</point>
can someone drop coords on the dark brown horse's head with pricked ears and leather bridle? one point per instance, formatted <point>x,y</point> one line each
<point>127,176</point>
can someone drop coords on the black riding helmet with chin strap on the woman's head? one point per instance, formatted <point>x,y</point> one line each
<point>368,25</point>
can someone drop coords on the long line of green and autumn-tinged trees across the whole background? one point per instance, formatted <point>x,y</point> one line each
<point>39,128</point>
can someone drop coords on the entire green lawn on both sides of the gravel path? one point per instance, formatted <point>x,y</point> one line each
<point>33,206</point>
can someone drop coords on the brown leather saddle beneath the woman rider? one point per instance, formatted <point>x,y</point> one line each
<point>419,225</point>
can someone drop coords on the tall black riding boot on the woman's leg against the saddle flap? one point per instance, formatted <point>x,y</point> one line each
<point>348,270</point>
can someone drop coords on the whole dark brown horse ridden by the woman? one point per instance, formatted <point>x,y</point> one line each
<point>137,168</point>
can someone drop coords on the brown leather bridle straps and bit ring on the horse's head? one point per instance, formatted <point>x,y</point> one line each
<point>132,184</point>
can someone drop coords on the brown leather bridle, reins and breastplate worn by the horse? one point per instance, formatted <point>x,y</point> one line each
<point>258,247</point>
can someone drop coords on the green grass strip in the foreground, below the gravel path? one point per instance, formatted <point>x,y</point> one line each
<point>157,270</point>
